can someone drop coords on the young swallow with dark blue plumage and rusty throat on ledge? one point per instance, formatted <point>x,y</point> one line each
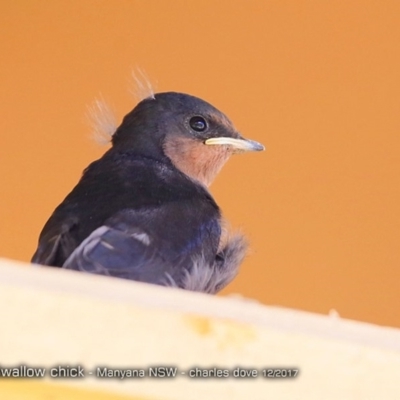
<point>143,211</point>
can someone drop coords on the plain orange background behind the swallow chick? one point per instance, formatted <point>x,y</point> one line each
<point>317,82</point>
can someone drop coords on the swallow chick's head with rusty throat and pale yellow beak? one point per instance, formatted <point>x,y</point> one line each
<point>196,137</point>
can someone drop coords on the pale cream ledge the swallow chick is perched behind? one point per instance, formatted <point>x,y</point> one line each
<point>52,317</point>
